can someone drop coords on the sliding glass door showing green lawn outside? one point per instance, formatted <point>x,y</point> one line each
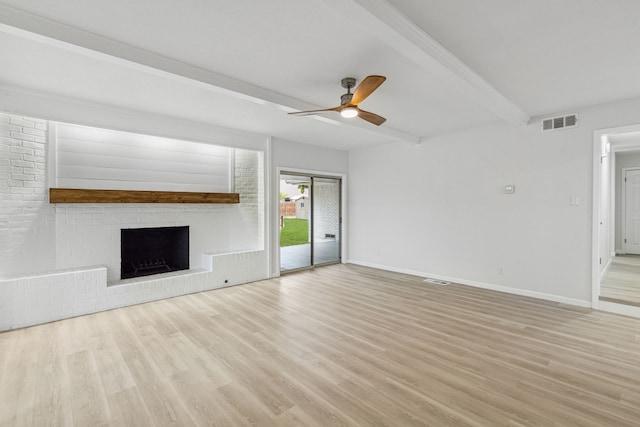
<point>310,220</point>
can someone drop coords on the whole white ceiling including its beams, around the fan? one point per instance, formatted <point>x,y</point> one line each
<point>243,64</point>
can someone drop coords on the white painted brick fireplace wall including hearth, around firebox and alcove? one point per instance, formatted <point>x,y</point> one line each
<point>56,260</point>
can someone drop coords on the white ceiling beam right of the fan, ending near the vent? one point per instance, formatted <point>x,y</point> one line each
<point>387,23</point>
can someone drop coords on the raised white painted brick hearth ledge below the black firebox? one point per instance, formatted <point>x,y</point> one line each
<point>44,298</point>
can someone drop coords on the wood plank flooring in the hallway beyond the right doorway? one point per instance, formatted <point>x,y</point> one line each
<point>621,281</point>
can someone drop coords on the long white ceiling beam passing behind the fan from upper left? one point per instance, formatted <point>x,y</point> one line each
<point>27,25</point>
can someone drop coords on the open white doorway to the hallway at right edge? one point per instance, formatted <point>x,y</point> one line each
<point>616,220</point>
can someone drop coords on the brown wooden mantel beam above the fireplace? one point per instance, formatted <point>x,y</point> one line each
<point>74,195</point>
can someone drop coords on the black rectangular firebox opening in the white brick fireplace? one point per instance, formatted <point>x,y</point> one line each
<point>147,251</point>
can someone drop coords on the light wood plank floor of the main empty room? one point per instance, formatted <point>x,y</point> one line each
<point>339,345</point>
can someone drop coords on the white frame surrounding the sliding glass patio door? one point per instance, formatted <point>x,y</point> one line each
<point>275,221</point>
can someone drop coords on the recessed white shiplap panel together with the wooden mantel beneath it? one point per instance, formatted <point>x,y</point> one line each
<point>91,165</point>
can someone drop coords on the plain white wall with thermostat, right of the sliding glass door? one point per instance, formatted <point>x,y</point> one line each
<point>437,208</point>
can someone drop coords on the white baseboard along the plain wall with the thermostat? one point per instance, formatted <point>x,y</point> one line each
<point>476,284</point>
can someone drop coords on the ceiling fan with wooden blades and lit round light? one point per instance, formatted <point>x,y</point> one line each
<point>349,101</point>
